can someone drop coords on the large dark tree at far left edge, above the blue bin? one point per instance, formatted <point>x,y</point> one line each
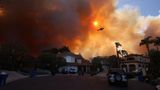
<point>11,55</point>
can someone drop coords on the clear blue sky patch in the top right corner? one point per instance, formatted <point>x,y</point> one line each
<point>146,7</point>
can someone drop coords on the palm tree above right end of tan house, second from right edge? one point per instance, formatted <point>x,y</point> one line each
<point>146,41</point>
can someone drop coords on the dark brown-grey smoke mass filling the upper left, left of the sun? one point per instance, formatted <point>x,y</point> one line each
<point>43,23</point>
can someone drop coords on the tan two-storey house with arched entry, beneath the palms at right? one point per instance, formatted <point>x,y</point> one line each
<point>135,63</point>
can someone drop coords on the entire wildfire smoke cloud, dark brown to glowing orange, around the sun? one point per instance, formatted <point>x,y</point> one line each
<point>41,24</point>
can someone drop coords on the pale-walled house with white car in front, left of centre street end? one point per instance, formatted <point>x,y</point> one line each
<point>75,63</point>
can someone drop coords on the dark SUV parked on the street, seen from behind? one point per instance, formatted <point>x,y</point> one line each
<point>117,76</point>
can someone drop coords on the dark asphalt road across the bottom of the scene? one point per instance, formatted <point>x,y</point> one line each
<point>70,82</point>
